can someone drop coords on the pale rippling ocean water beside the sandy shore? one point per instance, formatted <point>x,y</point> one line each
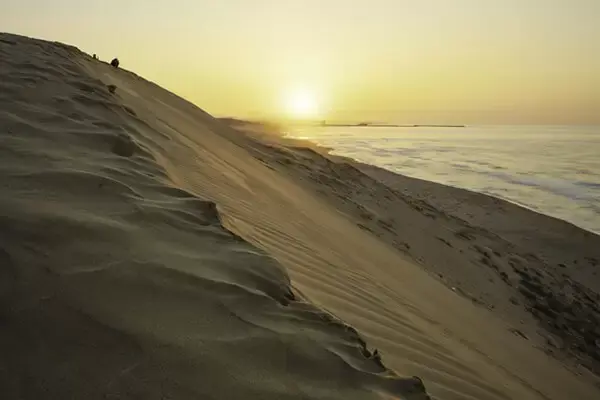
<point>554,170</point>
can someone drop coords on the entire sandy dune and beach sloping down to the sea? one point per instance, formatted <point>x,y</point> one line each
<point>149,250</point>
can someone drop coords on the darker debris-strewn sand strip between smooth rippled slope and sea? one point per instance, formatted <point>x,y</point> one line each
<point>517,263</point>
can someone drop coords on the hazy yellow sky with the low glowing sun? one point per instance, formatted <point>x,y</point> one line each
<point>427,61</point>
